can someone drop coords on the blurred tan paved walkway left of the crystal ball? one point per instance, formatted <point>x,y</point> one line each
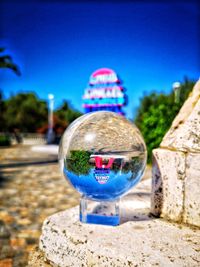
<point>31,188</point>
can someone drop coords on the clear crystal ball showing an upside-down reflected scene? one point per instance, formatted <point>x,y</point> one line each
<point>103,155</point>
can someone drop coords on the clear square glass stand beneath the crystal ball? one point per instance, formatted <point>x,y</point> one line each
<point>100,212</point>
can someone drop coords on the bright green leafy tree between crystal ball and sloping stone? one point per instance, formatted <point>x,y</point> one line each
<point>156,113</point>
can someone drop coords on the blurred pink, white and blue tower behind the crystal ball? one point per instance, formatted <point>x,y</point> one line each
<point>104,92</point>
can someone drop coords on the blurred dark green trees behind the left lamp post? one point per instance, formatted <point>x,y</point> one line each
<point>27,113</point>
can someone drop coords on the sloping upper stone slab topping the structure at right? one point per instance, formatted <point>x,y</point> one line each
<point>184,132</point>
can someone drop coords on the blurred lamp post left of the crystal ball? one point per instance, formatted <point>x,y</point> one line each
<point>50,134</point>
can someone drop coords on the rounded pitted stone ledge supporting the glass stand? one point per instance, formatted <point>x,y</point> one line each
<point>141,242</point>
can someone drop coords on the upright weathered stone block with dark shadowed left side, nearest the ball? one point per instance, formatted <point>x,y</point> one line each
<point>168,184</point>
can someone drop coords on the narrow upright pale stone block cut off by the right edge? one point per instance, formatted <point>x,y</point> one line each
<point>192,190</point>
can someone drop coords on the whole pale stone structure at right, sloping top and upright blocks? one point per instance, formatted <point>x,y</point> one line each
<point>176,166</point>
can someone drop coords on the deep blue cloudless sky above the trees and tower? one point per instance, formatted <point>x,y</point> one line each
<point>58,44</point>
